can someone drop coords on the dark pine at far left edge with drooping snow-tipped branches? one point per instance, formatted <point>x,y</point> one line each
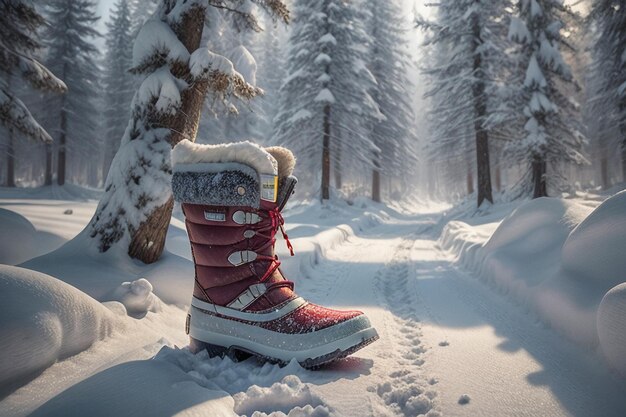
<point>19,42</point>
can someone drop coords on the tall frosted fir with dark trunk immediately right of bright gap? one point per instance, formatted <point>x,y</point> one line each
<point>469,39</point>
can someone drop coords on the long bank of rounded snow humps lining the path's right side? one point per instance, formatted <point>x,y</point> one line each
<point>559,258</point>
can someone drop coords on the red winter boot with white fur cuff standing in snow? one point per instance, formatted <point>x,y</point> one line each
<point>232,196</point>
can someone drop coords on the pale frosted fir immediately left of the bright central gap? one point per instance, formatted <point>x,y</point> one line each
<point>389,63</point>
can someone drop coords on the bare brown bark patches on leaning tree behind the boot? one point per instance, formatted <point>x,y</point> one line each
<point>148,241</point>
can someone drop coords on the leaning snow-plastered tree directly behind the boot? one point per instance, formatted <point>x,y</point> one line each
<point>179,72</point>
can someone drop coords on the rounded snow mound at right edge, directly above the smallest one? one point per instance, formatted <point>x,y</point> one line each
<point>595,249</point>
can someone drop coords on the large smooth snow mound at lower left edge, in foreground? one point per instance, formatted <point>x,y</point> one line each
<point>43,320</point>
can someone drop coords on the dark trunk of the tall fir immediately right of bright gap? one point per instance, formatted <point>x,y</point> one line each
<point>483,173</point>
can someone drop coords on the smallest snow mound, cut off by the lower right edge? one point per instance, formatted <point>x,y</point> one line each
<point>611,321</point>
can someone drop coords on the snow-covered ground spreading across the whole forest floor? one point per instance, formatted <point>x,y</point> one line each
<point>466,304</point>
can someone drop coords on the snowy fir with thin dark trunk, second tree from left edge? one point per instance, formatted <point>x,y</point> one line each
<point>71,118</point>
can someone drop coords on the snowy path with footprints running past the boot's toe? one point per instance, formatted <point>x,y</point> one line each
<point>470,341</point>
